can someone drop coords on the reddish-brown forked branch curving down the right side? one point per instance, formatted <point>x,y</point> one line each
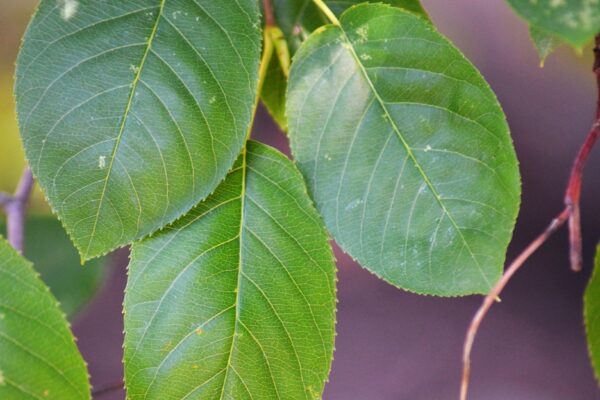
<point>571,213</point>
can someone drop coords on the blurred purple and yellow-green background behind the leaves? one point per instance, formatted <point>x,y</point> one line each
<point>394,345</point>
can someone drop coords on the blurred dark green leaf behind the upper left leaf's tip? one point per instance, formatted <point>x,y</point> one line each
<point>55,258</point>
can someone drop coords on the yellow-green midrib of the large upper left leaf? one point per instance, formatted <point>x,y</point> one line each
<point>134,85</point>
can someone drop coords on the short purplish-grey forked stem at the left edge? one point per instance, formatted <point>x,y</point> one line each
<point>15,208</point>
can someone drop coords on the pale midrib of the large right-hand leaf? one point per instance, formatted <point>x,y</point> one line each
<point>409,151</point>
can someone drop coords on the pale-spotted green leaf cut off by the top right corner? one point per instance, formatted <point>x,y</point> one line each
<point>574,21</point>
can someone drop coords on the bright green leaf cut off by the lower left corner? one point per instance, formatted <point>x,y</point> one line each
<point>39,359</point>
